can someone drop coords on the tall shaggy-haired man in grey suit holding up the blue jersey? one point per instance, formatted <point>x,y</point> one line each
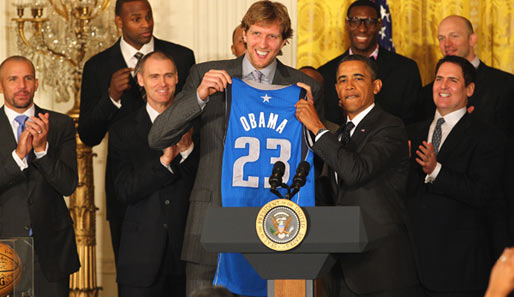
<point>267,28</point>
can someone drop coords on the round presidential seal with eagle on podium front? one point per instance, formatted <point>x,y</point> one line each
<point>281,224</point>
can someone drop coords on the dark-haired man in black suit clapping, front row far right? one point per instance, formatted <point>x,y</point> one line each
<point>455,173</point>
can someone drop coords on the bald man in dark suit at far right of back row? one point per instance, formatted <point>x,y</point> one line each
<point>492,102</point>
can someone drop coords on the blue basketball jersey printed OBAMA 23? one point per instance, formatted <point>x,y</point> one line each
<point>261,129</point>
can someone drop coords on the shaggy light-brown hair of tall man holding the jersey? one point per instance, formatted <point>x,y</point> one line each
<point>268,12</point>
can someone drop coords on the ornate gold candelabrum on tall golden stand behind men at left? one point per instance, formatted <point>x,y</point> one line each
<point>58,36</point>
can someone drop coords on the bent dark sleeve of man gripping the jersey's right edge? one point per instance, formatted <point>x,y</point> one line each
<point>383,147</point>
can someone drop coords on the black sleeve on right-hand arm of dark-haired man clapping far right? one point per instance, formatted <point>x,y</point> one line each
<point>480,183</point>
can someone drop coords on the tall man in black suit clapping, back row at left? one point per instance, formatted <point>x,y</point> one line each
<point>109,92</point>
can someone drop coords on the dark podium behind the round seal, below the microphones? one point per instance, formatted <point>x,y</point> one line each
<point>331,230</point>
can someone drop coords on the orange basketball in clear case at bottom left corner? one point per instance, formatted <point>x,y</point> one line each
<point>10,269</point>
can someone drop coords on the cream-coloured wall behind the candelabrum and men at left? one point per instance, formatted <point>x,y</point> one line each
<point>206,27</point>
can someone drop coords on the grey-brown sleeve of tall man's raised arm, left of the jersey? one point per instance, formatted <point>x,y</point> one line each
<point>169,126</point>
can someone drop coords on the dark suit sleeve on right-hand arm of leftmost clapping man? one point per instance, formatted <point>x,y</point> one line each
<point>59,166</point>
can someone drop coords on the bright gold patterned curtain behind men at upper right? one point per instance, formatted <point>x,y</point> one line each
<point>322,37</point>
